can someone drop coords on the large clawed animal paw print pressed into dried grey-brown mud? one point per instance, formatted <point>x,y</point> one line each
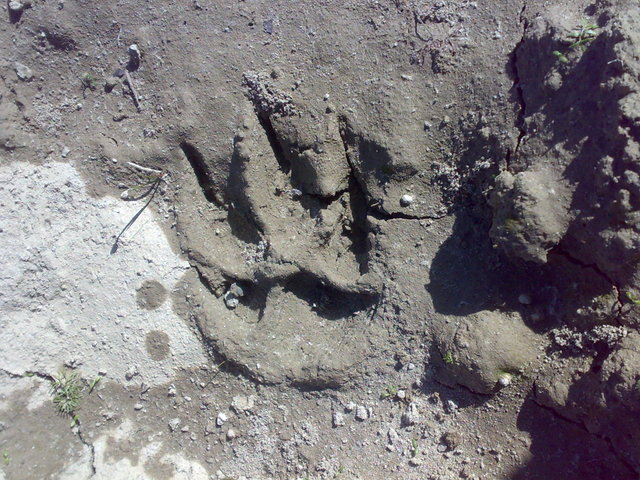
<point>300,257</point>
